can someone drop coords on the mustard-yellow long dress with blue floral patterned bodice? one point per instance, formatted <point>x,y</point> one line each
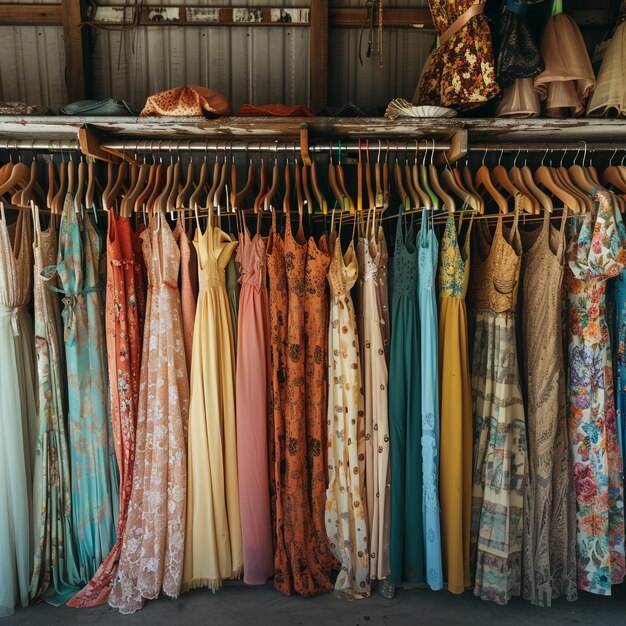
<point>455,477</point>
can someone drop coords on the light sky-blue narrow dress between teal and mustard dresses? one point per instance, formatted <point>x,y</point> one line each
<point>428,248</point>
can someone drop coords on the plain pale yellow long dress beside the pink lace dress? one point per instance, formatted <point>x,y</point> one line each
<point>213,546</point>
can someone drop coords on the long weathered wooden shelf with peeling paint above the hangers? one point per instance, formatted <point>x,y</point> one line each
<point>498,130</point>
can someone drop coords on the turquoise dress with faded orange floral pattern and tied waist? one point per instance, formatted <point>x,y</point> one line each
<point>94,483</point>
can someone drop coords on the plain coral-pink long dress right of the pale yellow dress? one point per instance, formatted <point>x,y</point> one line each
<point>251,403</point>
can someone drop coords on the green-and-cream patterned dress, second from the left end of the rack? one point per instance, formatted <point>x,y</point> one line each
<point>55,575</point>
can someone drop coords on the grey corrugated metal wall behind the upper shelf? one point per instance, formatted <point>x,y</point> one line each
<point>257,65</point>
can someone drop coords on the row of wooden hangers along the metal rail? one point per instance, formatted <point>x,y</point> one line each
<point>161,187</point>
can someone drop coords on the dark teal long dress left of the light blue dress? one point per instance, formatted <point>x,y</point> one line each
<point>407,545</point>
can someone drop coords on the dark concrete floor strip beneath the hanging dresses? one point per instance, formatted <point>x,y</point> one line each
<point>260,606</point>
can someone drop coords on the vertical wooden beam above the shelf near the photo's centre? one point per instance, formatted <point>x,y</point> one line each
<point>318,55</point>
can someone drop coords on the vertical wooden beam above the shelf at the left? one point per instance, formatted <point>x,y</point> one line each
<point>74,51</point>
